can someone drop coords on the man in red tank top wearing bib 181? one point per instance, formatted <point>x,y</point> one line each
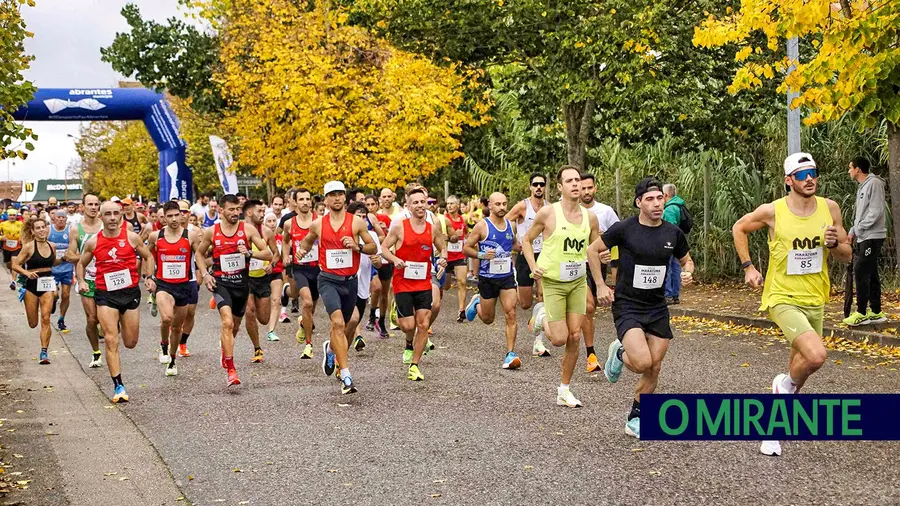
<point>229,281</point>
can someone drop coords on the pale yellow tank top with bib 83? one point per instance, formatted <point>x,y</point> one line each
<point>564,255</point>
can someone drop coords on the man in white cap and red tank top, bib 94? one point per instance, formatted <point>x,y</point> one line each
<point>338,258</point>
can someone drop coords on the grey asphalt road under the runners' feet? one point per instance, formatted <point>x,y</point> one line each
<point>471,433</point>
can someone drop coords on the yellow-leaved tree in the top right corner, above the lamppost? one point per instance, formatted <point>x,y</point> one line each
<point>853,65</point>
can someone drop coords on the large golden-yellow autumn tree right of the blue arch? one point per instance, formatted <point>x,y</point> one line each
<point>316,99</point>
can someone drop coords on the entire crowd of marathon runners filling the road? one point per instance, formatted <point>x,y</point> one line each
<point>348,252</point>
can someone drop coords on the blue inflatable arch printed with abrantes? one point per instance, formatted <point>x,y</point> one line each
<point>122,104</point>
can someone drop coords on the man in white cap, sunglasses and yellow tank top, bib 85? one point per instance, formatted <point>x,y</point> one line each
<point>803,231</point>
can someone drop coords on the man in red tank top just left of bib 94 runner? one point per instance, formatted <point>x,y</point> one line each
<point>305,267</point>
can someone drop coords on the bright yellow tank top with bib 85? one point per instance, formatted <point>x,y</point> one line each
<point>798,258</point>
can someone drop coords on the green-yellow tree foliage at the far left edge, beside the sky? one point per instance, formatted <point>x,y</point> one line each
<point>15,91</point>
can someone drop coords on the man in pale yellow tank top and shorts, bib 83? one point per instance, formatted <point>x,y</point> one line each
<point>567,230</point>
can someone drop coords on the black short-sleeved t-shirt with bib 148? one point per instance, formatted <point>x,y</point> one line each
<point>648,251</point>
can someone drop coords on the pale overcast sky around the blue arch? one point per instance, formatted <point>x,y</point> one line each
<point>68,35</point>
